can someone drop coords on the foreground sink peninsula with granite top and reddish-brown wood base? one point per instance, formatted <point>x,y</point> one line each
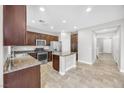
<point>23,73</point>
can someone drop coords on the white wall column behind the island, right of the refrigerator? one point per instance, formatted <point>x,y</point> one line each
<point>65,39</point>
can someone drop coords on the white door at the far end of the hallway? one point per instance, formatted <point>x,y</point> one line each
<point>107,45</point>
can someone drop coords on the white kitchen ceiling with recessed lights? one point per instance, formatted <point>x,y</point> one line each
<point>75,15</point>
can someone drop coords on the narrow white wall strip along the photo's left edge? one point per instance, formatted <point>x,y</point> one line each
<point>1,46</point>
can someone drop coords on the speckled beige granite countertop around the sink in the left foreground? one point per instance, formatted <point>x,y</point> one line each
<point>22,62</point>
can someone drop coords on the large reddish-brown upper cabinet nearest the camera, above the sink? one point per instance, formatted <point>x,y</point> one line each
<point>14,24</point>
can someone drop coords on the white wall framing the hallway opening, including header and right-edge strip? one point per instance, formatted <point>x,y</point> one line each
<point>85,42</point>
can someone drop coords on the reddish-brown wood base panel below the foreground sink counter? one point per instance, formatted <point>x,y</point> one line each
<point>25,78</point>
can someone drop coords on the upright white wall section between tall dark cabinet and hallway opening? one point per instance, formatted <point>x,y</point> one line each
<point>85,46</point>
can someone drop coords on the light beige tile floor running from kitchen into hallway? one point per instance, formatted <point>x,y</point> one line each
<point>104,73</point>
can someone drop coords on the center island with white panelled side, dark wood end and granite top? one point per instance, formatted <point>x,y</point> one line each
<point>62,62</point>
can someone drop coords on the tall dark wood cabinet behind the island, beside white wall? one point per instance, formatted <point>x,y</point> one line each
<point>74,44</point>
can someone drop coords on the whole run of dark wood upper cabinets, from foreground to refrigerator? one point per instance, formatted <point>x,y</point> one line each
<point>14,28</point>
